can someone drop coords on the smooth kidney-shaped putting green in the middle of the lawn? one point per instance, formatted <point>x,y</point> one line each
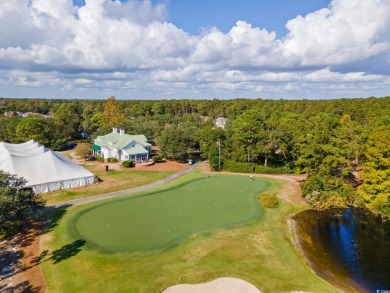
<point>160,219</point>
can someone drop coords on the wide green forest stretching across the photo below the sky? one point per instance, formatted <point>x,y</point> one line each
<point>342,144</point>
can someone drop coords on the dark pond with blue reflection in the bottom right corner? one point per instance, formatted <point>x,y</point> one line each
<point>349,248</point>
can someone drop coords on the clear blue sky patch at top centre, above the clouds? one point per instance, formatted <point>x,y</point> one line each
<point>194,16</point>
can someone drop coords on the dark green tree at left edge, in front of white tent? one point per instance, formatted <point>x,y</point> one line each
<point>15,201</point>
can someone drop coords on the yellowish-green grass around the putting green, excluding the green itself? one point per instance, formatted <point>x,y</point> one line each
<point>259,252</point>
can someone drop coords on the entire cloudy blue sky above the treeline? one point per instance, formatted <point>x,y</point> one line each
<point>200,49</point>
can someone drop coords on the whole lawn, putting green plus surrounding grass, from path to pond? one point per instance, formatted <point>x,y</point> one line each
<point>253,245</point>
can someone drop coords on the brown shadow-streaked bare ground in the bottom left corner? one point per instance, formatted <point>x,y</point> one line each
<point>19,258</point>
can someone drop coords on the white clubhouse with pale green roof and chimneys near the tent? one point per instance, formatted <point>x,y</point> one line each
<point>122,146</point>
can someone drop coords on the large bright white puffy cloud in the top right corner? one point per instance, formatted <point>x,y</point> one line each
<point>348,30</point>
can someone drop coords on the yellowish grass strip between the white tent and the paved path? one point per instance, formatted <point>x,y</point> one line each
<point>111,181</point>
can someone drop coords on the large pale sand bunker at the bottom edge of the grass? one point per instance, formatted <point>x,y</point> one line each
<point>221,285</point>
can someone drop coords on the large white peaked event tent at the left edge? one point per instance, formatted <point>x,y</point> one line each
<point>45,170</point>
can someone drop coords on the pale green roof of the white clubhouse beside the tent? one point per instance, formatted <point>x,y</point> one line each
<point>120,141</point>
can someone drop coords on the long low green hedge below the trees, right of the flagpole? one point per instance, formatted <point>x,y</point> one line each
<point>240,167</point>
